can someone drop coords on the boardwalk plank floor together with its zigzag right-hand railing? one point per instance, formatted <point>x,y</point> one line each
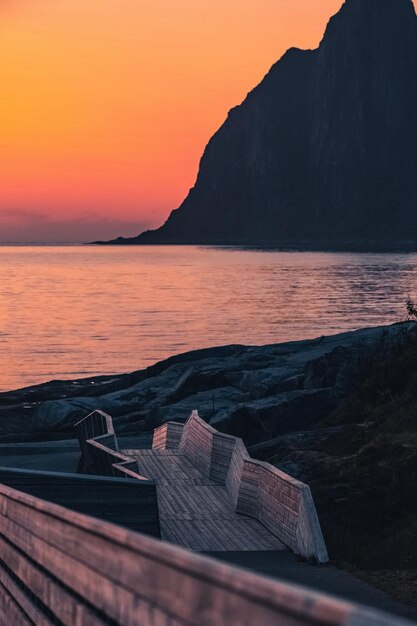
<point>281,505</point>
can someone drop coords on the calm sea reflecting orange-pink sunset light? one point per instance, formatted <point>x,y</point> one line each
<point>67,312</point>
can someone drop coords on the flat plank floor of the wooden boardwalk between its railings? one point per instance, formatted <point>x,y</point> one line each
<point>195,512</point>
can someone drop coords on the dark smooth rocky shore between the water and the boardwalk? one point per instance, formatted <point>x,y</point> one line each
<point>258,393</point>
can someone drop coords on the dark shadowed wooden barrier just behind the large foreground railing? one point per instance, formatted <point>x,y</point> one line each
<point>129,503</point>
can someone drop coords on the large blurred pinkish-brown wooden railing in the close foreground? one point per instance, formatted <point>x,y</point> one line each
<point>63,568</point>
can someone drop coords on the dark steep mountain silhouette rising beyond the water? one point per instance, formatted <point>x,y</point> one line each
<point>323,152</point>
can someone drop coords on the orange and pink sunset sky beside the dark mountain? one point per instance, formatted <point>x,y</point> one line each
<point>106,105</point>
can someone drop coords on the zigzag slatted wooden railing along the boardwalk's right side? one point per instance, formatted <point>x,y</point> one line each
<point>257,489</point>
